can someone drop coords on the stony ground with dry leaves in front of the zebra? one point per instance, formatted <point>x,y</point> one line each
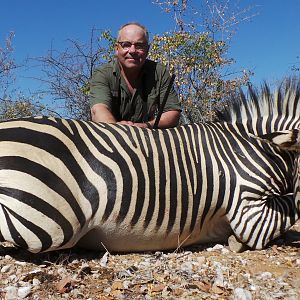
<point>204,272</point>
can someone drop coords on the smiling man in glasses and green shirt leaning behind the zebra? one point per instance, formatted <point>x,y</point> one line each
<point>130,89</point>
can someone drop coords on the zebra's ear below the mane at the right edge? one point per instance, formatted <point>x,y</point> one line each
<point>288,139</point>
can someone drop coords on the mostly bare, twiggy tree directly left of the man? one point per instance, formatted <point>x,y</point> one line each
<point>67,73</point>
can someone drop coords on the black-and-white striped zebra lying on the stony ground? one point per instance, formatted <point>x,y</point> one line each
<point>70,182</point>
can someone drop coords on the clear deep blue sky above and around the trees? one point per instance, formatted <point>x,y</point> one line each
<point>268,45</point>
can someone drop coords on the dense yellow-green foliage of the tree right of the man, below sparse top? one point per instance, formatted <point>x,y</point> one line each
<point>196,60</point>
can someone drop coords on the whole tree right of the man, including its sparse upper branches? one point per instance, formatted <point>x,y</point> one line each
<point>198,58</point>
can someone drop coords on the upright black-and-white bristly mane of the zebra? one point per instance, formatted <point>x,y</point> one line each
<point>282,104</point>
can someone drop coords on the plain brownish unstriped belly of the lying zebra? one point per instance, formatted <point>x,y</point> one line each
<point>119,238</point>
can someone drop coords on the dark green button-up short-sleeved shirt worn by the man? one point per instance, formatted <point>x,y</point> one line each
<point>107,86</point>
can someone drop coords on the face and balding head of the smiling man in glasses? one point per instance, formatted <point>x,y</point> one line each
<point>132,48</point>
